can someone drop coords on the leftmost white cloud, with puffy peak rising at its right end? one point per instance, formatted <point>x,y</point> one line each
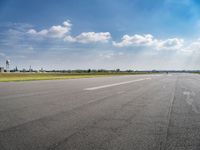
<point>58,31</point>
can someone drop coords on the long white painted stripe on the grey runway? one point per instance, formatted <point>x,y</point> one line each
<point>115,84</point>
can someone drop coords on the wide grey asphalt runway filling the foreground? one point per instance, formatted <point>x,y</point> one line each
<point>139,112</point>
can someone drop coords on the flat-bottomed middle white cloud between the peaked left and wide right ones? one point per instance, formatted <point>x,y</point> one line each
<point>90,37</point>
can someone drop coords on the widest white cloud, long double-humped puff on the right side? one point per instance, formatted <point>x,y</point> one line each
<point>149,41</point>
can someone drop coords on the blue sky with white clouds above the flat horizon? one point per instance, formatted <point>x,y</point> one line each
<point>100,34</point>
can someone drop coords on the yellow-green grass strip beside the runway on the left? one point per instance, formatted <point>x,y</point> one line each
<point>10,77</point>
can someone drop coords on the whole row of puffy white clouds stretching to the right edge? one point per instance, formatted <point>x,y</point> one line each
<point>136,40</point>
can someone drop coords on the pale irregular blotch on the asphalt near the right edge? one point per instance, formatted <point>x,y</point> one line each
<point>189,99</point>
